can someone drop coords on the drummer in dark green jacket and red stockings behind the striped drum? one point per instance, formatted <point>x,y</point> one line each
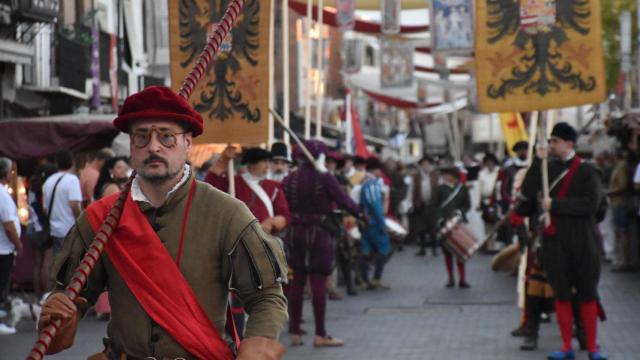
<point>452,198</point>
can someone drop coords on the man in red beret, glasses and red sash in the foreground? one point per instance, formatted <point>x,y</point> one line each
<point>179,248</point>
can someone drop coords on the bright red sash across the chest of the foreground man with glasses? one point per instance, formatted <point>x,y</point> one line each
<point>155,280</point>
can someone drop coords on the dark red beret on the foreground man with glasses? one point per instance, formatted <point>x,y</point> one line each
<point>158,102</point>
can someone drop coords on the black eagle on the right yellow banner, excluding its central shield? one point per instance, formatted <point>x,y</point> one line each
<point>546,59</point>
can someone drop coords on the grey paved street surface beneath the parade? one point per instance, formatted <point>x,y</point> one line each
<point>420,319</point>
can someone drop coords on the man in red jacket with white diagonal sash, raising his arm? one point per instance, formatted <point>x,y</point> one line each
<point>264,198</point>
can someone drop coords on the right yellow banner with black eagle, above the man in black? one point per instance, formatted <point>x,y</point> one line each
<point>538,54</point>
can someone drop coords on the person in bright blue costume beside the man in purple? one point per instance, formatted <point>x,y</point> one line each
<point>374,237</point>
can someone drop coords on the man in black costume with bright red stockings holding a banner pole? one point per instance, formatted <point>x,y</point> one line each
<point>569,246</point>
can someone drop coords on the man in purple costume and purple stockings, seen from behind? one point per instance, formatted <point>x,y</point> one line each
<point>311,195</point>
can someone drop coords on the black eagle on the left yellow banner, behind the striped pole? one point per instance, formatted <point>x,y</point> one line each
<point>221,98</point>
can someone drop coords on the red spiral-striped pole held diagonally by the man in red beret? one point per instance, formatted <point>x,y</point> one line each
<point>96,248</point>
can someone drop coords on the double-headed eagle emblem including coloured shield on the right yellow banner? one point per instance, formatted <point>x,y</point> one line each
<point>542,58</point>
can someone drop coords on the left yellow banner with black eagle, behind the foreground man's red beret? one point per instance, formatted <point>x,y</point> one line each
<point>233,95</point>
